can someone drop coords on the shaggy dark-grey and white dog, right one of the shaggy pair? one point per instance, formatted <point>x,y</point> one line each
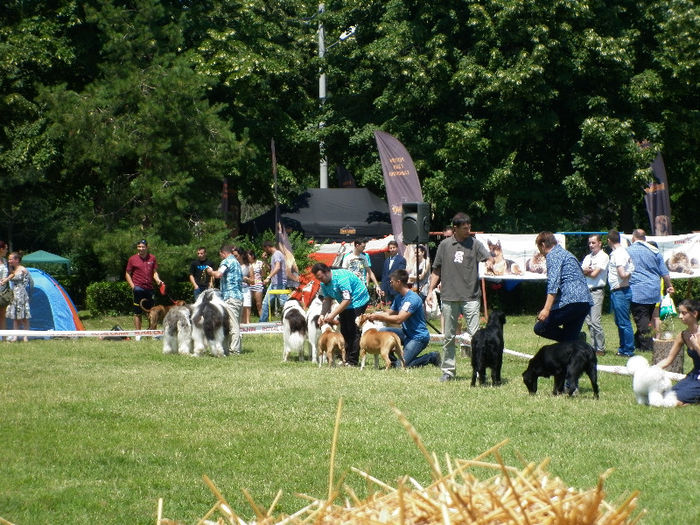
<point>210,324</point>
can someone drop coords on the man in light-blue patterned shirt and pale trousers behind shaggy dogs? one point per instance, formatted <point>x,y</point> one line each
<point>231,285</point>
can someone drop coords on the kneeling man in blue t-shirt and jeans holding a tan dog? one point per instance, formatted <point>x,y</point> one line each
<point>407,310</point>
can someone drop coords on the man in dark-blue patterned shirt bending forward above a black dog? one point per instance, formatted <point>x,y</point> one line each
<point>568,299</point>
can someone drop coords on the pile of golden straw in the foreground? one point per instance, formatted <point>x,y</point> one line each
<point>512,496</point>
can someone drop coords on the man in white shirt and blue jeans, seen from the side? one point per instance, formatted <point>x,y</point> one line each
<point>620,269</point>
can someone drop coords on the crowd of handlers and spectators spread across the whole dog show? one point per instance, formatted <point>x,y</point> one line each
<point>574,292</point>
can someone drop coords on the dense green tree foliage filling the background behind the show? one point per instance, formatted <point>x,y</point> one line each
<point>122,119</point>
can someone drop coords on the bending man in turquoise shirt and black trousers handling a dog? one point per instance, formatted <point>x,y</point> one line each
<point>352,296</point>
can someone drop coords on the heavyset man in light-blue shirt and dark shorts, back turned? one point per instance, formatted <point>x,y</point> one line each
<point>645,284</point>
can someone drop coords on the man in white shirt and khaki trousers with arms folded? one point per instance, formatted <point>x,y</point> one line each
<point>595,268</point>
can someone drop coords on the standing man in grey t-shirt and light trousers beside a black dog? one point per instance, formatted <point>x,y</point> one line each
<point>456,266</point>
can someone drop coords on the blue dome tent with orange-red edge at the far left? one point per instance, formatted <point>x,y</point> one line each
<point>51,307</point>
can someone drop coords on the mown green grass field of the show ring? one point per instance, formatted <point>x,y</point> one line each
<point>96,431</point>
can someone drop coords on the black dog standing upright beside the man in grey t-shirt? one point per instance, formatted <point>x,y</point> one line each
<point>487,349</point>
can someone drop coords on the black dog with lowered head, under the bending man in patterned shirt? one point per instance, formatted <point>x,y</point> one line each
<point>566,362</point>
